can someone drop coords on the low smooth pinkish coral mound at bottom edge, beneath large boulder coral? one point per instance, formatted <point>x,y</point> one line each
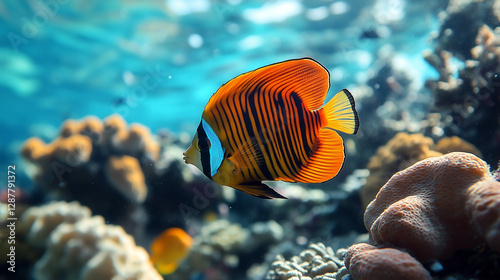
<point>367,262</point>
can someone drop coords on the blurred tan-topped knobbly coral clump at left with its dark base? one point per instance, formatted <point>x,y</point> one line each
<point>92,160</point>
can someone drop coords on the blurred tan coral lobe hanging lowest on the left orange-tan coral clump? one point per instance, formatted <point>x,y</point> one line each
<point>125,174</point>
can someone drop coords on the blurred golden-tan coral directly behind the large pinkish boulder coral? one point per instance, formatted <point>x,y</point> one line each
<point>402,151</point>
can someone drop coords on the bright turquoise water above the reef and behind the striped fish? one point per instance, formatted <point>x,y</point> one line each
<point>158,62</point>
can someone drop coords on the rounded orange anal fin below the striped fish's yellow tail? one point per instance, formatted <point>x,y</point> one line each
<point>326,159</point>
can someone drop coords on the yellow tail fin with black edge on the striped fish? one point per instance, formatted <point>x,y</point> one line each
<point>340,113</point>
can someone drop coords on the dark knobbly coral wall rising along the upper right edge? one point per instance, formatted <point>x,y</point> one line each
<point>467,97</point>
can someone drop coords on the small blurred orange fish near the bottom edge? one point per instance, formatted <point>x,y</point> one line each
<point>169,248</point>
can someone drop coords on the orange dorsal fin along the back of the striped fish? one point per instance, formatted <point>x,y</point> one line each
<point>306,77</point>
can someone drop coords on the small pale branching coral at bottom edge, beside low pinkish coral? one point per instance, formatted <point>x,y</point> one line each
<point>317,262</point>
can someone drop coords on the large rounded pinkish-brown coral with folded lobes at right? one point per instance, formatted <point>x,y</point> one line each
<point>423,208</point>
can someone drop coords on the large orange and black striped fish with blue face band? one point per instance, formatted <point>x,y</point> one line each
<point>270,124</point>
